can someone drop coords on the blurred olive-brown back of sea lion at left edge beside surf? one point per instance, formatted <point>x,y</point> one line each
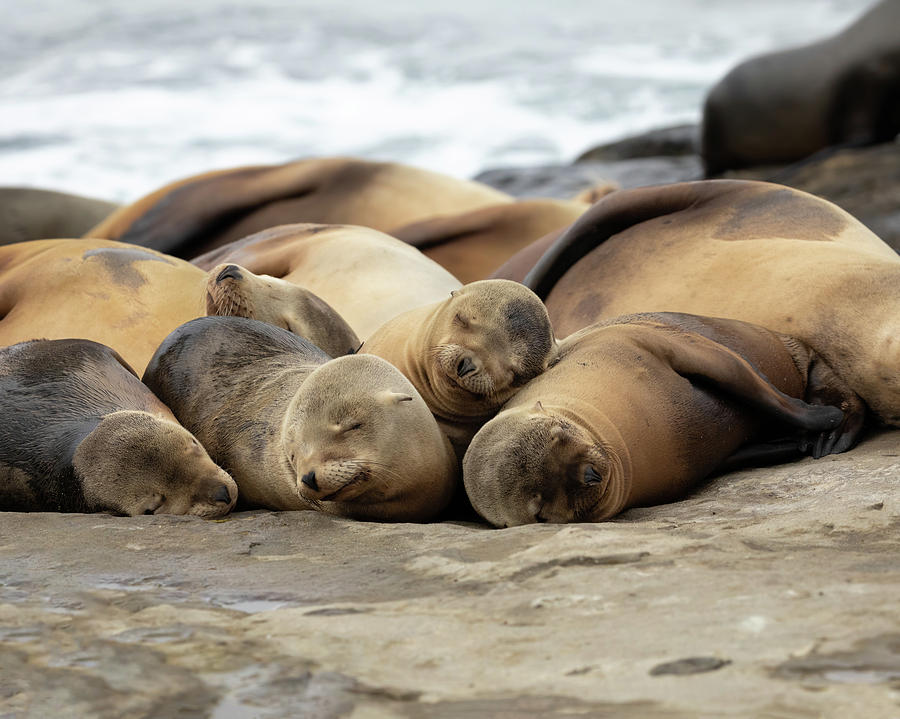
<point>28,213</point>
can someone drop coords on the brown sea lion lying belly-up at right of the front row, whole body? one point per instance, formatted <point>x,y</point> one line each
<point>637,410</point>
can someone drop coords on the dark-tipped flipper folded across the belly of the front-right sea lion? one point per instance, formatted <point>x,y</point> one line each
<point>693,355</point>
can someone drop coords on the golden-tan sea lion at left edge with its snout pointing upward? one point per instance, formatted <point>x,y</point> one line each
<point>129,298</point>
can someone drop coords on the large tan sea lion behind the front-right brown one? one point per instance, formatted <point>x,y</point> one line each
<point>752,251</point>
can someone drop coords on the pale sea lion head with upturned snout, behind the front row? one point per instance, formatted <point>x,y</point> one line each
<point>232,290</point>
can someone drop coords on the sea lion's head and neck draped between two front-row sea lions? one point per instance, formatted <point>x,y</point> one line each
<point>467,354</point>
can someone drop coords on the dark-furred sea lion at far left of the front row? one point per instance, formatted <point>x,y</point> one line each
<point>80,433</point>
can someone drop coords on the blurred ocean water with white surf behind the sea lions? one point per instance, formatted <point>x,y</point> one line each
<point>113,99</point>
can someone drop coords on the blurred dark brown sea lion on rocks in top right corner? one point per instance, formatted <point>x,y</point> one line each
<point>786,105</point>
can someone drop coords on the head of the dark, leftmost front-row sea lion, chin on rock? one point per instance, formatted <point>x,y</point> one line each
<point>135,463</point>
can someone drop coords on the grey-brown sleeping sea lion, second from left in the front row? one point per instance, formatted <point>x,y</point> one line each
<point>299,430</point>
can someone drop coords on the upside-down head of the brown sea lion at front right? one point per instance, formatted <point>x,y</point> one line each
<point>533,465</point>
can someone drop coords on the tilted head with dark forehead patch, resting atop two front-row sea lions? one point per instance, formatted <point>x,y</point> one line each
<point>486,340</point>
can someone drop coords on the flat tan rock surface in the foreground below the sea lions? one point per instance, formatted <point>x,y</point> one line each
<point>768,593</point>
